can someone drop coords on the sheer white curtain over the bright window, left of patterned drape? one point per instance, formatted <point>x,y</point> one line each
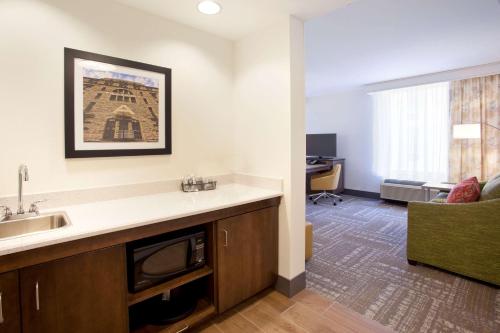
<point>411,132</point>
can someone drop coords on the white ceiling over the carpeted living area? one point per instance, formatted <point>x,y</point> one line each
<point>379,40</point>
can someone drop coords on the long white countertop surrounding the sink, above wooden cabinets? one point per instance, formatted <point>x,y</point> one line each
<point>102,217</point>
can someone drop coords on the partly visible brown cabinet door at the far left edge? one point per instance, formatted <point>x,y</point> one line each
<point>10,316</point>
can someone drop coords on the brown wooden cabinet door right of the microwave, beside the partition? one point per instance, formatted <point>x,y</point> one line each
<point>247,255</point>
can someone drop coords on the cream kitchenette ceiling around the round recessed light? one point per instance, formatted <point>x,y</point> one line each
<point>238,18</point>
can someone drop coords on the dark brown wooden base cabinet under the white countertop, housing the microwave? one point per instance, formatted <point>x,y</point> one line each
<point>81,286</point>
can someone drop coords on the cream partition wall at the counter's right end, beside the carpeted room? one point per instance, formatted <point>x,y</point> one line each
<point>269,125</point>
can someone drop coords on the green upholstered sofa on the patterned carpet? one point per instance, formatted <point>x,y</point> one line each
<point>462,238</point>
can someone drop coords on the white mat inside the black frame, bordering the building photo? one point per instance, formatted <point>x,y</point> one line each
<point>78,109</point>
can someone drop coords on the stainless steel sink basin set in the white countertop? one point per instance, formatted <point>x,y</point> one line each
<point>35,224</point>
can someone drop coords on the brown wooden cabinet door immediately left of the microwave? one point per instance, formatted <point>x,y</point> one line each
<point>83,293</point>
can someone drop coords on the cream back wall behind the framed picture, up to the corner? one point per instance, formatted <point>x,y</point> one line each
<point>32,37</point>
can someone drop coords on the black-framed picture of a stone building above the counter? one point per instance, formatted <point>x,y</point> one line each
<point>115,107</point>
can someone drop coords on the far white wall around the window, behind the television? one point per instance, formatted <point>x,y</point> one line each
<point>349,114</point>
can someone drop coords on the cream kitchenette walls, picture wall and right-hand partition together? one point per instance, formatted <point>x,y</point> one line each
<point>236,106</point>
